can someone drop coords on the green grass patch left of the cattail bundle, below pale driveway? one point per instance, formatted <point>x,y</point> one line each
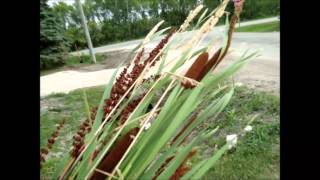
<point>55,107</point>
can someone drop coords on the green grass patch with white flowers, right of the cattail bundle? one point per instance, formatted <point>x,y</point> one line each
<point>257,156</point>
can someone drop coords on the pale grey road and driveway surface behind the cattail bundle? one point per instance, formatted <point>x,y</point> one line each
<point>262,73</point>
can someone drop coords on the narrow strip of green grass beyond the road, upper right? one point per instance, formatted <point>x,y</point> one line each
<point>264,27</point>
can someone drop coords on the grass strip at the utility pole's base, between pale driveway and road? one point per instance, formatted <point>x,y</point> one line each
<point>73,61</point>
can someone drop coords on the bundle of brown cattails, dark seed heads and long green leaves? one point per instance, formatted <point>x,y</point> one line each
<point>142,127</point>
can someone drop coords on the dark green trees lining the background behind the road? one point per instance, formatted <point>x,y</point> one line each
<point>118,20</point>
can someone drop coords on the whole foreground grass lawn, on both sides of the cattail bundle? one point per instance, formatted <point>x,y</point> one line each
<point>256,156</point>
